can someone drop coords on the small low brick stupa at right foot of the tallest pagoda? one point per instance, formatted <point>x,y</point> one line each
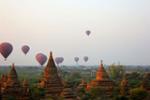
<point>68,93</point>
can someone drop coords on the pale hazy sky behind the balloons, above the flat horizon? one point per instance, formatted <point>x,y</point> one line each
<point>120,30</point>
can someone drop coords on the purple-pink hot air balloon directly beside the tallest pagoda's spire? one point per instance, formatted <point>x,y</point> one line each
<point>41,58</point>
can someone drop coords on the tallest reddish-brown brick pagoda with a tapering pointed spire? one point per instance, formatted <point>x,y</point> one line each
<point>51,81</point>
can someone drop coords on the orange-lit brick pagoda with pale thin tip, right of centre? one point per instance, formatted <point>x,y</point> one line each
<point>102,81</point>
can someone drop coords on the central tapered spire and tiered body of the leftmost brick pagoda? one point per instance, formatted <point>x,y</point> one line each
<point>12,88</point>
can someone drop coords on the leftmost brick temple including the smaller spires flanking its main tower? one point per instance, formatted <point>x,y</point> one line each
<point>11,88</point>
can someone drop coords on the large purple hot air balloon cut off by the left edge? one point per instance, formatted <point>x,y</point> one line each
<point>6,49</point>
